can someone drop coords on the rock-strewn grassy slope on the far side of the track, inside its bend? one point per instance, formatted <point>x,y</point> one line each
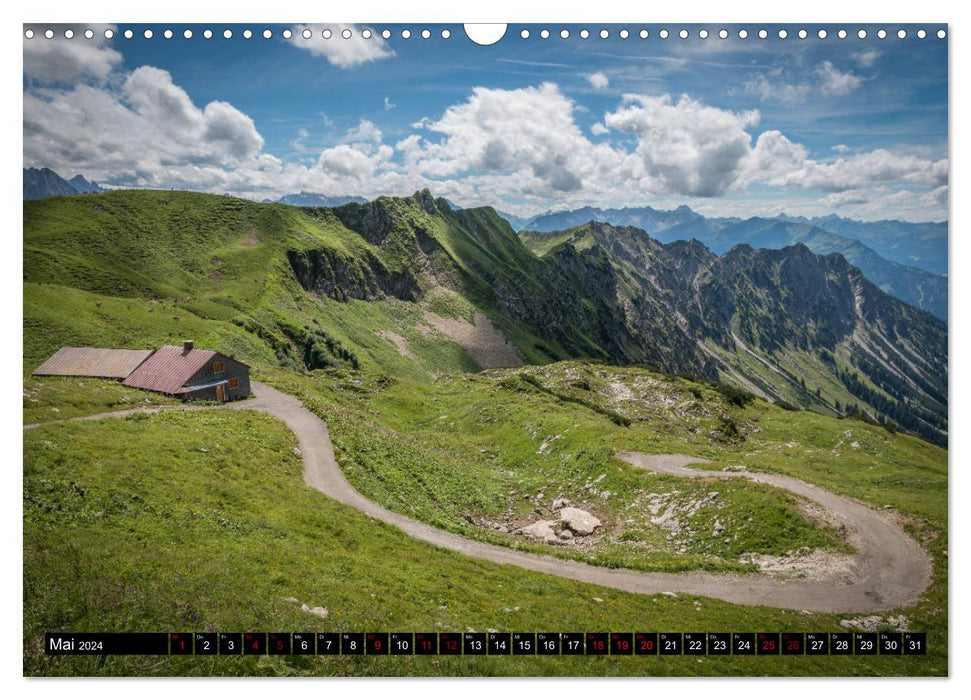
<point>500,449</point>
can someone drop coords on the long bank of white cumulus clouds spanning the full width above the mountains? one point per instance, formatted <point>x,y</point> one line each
<point>520,149</point>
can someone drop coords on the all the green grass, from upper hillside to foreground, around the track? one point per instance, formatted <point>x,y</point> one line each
<point>207,524</point>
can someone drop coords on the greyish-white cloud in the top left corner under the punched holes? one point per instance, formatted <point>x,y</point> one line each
<point>63,60</point>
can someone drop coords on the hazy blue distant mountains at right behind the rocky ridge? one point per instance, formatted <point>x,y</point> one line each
<point>911,265</point>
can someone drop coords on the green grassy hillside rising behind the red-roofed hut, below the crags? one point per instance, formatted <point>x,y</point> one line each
<point>153,267</point>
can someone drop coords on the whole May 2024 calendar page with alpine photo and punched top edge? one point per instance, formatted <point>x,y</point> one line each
<point>512,350</point>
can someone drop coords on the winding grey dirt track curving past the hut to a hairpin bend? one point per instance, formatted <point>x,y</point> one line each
<point>890,569</point>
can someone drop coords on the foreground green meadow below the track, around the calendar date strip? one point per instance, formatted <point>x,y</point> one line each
<point>210,527</point>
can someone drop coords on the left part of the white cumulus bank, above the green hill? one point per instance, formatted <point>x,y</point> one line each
<point>142,130</point>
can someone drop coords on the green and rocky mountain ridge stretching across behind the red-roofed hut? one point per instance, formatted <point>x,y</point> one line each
<point>317,287</point>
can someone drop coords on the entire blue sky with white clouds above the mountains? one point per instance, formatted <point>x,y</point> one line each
<point>727,126</point>
